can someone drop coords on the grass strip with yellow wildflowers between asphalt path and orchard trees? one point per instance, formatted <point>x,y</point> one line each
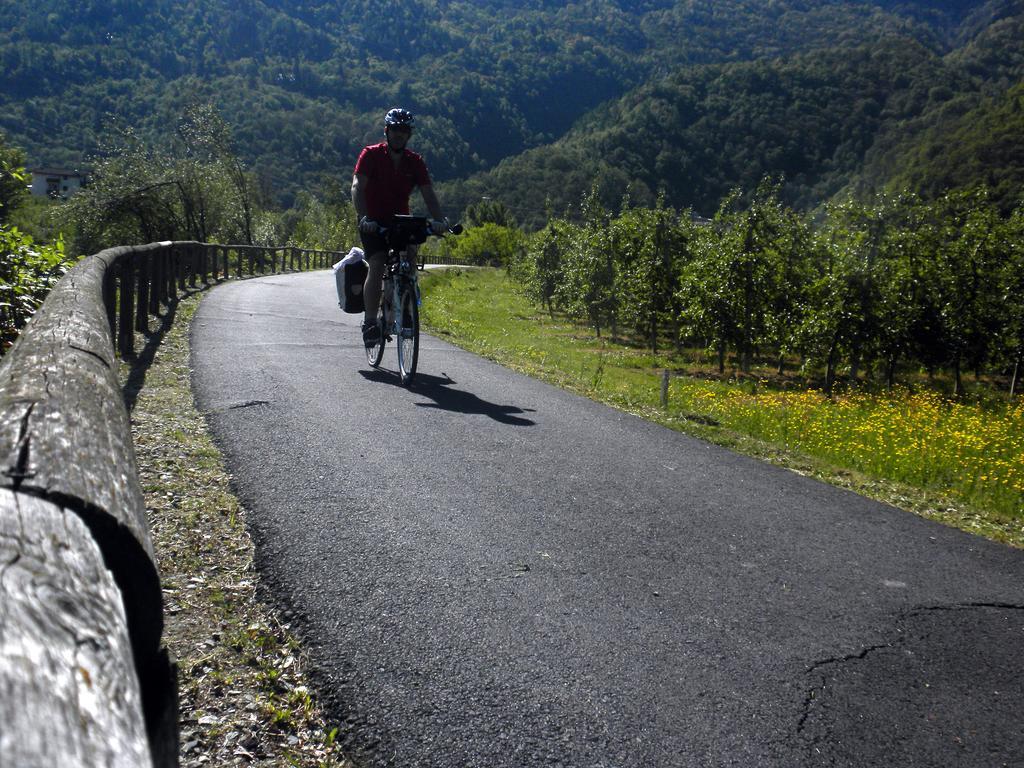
<point>960,463</point>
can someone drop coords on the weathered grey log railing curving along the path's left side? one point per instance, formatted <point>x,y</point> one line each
<point>84,678</point>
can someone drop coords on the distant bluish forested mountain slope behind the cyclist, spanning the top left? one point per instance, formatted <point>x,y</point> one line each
<point>305,82</point>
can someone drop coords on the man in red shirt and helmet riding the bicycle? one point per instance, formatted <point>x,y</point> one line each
<point>386,177</point>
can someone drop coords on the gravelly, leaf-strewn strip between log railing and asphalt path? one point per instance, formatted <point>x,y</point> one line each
<point>244,695</point>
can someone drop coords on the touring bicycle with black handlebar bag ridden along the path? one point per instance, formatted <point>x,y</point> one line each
<point>402,291</point>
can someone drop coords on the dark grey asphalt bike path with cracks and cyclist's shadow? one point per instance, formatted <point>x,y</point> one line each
<point>490,572</point>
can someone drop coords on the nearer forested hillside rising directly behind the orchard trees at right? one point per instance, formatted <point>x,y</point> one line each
<point>889,112</point>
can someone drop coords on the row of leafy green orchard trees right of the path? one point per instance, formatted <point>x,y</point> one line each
<point>861,290</point>
